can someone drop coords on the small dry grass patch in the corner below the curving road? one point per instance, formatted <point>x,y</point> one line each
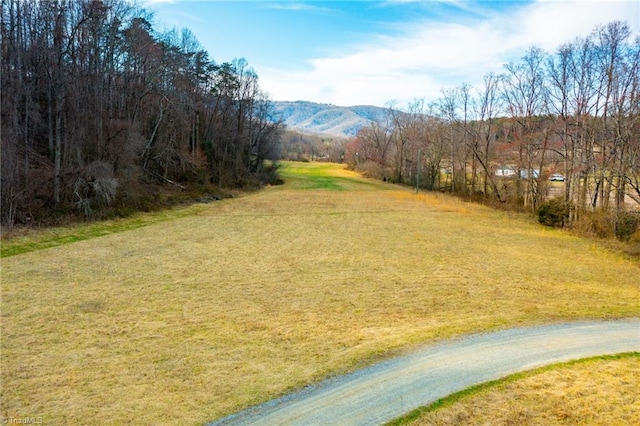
<point>603,392</point>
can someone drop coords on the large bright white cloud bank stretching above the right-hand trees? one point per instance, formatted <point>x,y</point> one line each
<point>432,55</point>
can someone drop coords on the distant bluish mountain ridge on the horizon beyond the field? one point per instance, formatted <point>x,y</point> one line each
<point>310,117</point>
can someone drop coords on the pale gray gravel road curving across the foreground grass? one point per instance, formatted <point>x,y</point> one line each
<point>387,390</point>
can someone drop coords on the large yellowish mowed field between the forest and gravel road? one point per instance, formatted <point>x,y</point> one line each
<point>229,304</point>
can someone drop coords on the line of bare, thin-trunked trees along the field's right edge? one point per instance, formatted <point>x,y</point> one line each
<point>574,112</point>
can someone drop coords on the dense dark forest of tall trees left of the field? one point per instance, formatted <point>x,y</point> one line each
<point>99,110</point>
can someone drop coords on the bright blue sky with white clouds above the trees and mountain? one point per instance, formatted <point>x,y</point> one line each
<point>363,52</point>
